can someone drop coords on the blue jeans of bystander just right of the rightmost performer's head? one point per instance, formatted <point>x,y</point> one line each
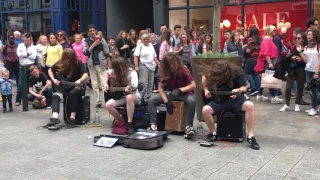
<point>251,75</point>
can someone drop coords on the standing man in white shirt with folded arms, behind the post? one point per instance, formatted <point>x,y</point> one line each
<point>27,55</point>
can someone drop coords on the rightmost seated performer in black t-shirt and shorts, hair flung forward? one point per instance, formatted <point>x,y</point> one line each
<point>223,77</point>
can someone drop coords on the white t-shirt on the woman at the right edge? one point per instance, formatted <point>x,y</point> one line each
<point>312,58</point>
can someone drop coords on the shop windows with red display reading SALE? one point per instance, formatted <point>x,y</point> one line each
<point>198,14</point>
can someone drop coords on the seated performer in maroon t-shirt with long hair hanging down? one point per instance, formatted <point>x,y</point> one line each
<point>180,84</point>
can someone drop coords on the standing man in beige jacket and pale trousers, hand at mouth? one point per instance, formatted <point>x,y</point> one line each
<point>98,52</point>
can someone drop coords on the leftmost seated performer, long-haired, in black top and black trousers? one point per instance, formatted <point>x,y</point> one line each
<point>67,69</point>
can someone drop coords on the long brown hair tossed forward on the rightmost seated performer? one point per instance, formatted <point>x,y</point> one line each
<point>220,72</point>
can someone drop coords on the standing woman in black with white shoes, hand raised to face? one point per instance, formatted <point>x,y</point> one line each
<point>297,74</point>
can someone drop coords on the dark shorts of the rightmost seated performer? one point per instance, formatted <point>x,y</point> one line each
<point>234,105</point>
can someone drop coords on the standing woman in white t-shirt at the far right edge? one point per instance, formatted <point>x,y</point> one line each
<point>310,55</point>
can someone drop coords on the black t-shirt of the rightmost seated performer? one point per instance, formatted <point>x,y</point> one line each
<point>235,83</point>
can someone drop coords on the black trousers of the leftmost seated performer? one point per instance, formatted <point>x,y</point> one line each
<point>72,96</point>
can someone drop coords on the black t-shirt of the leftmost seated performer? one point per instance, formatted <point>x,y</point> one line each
<point>64,75</point>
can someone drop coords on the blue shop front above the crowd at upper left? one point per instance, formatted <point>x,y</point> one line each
<point>46,16</point>
